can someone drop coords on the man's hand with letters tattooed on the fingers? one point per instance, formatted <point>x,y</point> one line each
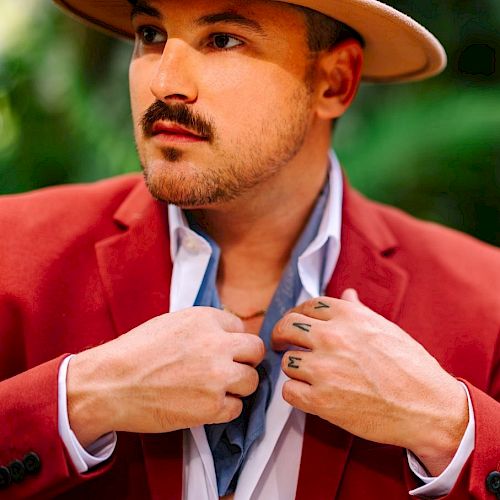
<point>366,375</point>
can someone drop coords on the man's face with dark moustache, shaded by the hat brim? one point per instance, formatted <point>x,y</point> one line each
<point>220,93</point>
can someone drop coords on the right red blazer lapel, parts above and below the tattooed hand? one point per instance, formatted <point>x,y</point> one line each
<point>367,246</point>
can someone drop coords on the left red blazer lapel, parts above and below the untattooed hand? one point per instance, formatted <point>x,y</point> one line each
<point>136,269</point>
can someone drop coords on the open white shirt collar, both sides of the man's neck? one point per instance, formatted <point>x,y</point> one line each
<point>309,264</point>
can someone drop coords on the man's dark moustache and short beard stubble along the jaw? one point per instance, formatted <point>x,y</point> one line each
<point>238,167</point>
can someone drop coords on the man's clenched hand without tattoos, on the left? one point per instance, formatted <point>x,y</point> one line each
<point>175,371</point>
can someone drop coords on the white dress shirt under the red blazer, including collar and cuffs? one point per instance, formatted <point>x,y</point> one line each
<point>272,466</point>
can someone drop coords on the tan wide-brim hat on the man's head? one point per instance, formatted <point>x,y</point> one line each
<point>397,48</point>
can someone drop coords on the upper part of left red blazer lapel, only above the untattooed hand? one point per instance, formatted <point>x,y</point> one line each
<point>135,264</point>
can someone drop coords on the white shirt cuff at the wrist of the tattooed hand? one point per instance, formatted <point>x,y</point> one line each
<point>443,484</point>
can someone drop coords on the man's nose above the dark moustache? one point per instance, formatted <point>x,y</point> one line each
<point>174,78</point>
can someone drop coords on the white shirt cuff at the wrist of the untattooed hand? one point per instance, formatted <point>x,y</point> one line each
<point>99,451</point>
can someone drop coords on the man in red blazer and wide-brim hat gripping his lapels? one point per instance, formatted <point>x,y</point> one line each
<point>390,362</point>
